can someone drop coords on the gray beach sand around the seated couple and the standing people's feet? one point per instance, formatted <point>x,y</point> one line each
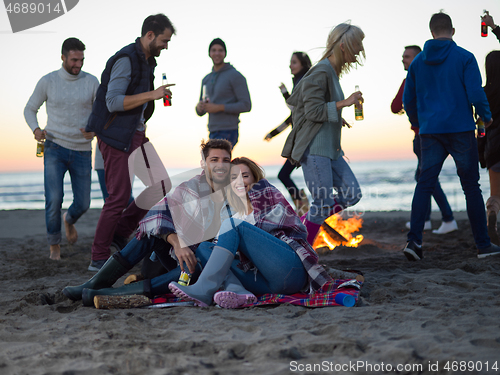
<point>412,317</point>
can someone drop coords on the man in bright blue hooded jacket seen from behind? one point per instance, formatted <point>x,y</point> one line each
<point>442,85</point>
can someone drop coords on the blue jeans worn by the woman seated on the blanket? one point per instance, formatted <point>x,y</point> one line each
<point>280,269</point>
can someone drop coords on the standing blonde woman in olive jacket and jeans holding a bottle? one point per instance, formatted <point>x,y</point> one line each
<point>314,141</point>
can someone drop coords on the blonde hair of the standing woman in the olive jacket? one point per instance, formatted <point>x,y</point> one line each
<point>352,38</point>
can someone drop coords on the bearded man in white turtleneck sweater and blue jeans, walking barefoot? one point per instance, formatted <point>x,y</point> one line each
<point>68,93</point>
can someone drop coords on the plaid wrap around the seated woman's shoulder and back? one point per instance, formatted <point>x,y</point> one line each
<point>273,214</point>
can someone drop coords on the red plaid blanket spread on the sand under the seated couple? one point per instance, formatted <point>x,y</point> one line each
<point>322,298</point>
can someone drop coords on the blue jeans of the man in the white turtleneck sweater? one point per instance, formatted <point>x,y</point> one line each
<point>57,160</point>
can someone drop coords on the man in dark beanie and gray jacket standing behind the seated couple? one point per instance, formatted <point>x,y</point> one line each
<point>224,95</point>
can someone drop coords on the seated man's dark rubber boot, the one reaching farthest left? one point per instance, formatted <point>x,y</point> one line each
<point>114,268</point>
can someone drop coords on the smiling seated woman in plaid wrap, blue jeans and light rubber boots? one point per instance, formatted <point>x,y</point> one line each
<point>271,242</point>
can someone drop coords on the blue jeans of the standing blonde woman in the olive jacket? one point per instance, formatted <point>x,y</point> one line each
<point>322,175</point>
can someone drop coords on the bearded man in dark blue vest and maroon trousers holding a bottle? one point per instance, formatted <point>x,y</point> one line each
<point>125,101</point>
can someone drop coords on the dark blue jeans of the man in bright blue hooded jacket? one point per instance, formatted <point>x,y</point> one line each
<point>463,149</point>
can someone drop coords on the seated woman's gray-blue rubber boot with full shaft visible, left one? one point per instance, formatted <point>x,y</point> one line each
<point>211,278</point>
